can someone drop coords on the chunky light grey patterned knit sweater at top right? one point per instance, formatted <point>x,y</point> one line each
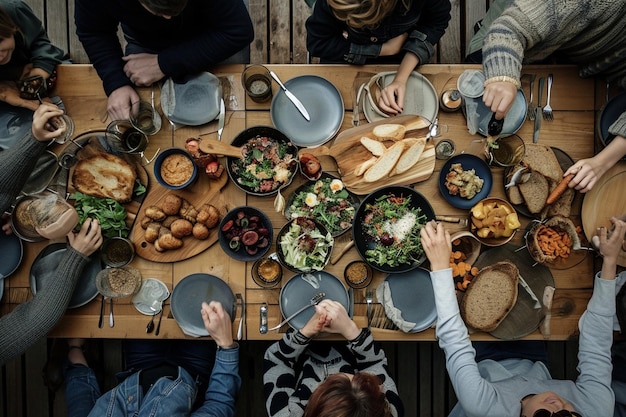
<point>589,33</point>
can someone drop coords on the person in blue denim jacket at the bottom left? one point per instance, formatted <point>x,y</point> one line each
<point>163,377</point>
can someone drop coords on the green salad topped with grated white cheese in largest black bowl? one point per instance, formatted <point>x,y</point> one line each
<point>394,227</point>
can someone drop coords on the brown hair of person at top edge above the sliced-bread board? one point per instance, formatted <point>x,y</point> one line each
<point>359,14</point>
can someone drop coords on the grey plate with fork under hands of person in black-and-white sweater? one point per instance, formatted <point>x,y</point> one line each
<point>299,290</point>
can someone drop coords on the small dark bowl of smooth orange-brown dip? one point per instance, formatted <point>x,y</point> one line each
<point>175,169</point>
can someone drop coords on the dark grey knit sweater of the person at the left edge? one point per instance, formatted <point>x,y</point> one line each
<point>32,320</point>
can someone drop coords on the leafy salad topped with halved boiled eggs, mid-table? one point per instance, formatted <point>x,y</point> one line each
<point>327,201</point>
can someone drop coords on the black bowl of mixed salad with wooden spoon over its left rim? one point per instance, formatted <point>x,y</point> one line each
<point>269,162</point>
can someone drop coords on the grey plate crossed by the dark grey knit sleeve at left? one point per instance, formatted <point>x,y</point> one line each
<point>44,266</point>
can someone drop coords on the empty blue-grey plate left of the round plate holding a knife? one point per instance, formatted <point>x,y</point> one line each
<point>194,101</point>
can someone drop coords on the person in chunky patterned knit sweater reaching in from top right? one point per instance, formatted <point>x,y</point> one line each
<point>588,33</point>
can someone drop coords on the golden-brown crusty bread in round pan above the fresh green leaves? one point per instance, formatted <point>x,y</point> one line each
<point>106,176</point>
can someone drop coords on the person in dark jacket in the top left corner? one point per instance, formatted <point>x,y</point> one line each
<point>25,51</point>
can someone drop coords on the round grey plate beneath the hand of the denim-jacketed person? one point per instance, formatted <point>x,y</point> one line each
<point>188,296</point>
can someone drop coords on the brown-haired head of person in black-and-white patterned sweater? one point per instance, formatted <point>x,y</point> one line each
<point>344,395</point>
